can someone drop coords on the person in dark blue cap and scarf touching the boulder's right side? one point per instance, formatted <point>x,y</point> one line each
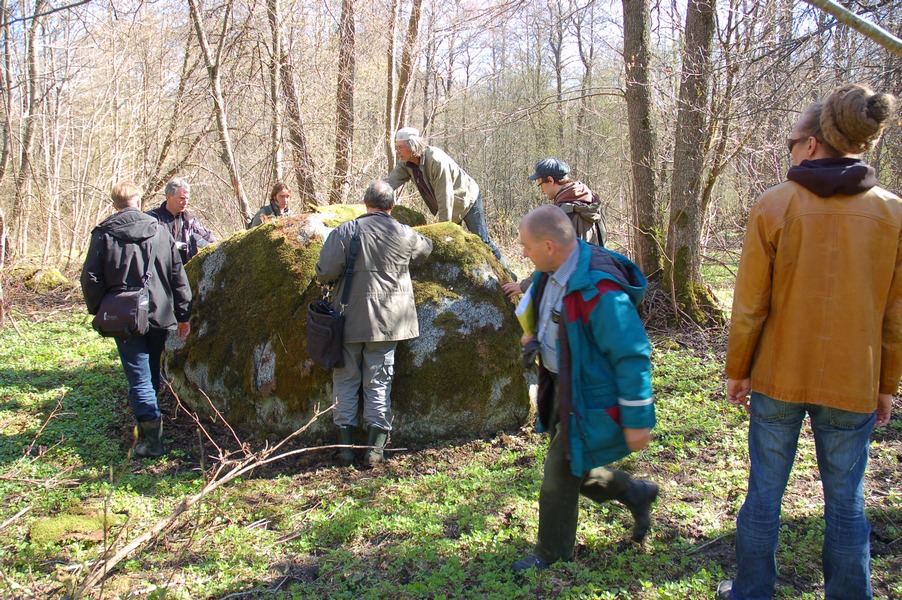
<point>581,204</point>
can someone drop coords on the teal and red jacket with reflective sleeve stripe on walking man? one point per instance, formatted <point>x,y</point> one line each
<point>604,376</point>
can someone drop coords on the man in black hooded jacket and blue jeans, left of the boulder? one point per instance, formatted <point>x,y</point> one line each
<point>118,255</point>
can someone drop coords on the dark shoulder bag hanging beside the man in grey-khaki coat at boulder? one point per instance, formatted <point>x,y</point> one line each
<point>325,325</point>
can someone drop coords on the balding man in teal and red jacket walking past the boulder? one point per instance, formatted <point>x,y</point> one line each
<point>594,396</point>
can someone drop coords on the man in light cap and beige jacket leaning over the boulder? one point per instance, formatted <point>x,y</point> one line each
<point>449,193</point>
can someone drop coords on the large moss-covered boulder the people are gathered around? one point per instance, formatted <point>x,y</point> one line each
<point>460,377</point>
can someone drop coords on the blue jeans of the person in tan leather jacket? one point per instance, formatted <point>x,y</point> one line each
<point>841,439</point>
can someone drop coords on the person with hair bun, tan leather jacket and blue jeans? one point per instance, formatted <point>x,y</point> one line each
<point>817,329</point>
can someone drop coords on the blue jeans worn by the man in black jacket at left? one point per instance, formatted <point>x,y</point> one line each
<point>140,356</point>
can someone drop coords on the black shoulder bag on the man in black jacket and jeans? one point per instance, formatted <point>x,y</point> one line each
<point>123,312</point>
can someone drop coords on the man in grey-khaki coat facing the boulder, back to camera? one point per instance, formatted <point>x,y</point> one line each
<point>380,312</point>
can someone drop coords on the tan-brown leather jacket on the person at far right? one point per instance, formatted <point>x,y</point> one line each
<point>817,311</point>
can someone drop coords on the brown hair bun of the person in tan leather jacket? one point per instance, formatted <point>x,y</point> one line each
<point>854,117</point>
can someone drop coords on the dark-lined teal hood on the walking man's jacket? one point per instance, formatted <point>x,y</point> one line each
<point>597,263</point>
